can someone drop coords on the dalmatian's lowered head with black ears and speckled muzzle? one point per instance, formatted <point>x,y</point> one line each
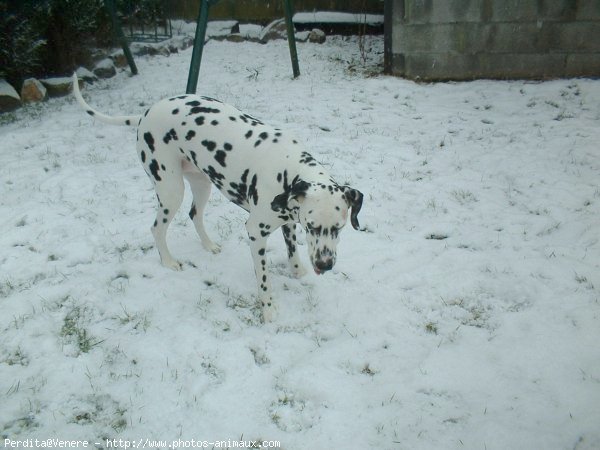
<point>322,210</point>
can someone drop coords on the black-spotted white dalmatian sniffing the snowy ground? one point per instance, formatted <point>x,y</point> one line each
<point>262,169</point>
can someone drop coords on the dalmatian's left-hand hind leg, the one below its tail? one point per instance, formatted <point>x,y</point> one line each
<point>169,192</point>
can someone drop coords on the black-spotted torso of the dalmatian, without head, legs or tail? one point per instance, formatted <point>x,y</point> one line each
<point>223,143</point>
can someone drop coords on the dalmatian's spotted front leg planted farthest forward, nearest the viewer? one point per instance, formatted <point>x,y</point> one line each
<point>258,233</point>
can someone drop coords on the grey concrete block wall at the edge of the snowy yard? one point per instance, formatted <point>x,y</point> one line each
<point>468,39</point>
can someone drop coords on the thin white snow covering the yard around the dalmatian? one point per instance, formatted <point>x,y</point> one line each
<point>466,315</point>
